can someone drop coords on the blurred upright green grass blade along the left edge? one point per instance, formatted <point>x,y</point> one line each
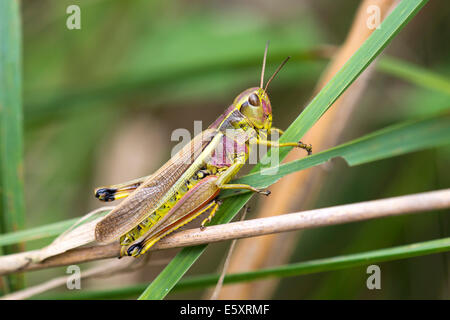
<point>11,135</point>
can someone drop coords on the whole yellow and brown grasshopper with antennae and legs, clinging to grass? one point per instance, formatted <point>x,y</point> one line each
<point>189,183</point>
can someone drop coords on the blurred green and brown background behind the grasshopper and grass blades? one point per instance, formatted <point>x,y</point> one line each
<point>100,104</point>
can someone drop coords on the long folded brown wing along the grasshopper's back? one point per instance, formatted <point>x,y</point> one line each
<point>147,198</point>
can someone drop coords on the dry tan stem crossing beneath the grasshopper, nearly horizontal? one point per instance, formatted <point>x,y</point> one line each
<point>414,203</point>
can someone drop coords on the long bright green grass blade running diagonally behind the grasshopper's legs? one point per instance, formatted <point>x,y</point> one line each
<point>379,39</point>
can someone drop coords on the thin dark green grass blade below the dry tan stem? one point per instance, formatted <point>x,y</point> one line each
<point>290,270</point>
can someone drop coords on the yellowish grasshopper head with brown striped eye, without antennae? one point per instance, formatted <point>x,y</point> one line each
<point>254,104</point>
